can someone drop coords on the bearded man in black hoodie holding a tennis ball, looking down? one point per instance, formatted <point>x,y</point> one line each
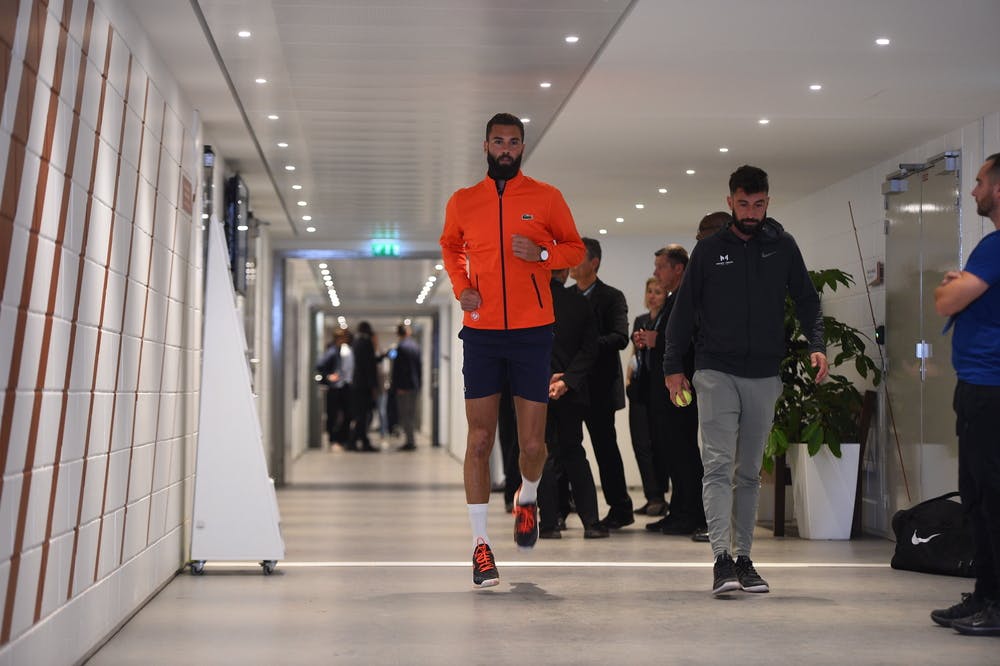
<point>734,288</point>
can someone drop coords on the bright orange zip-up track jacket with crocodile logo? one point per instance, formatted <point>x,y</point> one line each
<point>476,246</point>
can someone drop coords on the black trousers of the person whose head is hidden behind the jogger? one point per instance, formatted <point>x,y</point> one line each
<point>567,458</point>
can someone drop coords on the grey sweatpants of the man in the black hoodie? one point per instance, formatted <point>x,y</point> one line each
<point>735,416</point>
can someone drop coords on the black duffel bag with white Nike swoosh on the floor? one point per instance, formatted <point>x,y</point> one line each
<point>935,536</point>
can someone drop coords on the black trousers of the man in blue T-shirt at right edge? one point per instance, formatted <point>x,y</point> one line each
<point>977,409</point>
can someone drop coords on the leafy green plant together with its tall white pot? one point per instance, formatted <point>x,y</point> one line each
<point>809,417</point>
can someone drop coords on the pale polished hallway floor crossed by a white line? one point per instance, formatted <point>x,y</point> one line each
<point>378,571</point>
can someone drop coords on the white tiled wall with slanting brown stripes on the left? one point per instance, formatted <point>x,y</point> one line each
<point>100,275</point>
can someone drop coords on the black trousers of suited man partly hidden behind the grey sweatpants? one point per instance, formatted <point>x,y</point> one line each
<point>675,450</point>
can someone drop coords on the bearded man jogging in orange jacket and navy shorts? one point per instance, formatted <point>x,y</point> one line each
<point>502,238</point>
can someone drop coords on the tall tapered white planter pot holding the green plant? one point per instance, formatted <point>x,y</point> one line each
<point>824,488</point>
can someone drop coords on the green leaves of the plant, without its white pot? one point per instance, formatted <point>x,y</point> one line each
<point>819,414</point>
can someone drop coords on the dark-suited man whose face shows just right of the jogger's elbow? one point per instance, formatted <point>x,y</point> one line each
<point>606,382</point>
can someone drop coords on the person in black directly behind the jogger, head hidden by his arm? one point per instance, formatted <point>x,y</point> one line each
<point>574,350</point>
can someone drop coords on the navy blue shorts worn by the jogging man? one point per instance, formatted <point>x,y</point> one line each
<point>519,356</point>
